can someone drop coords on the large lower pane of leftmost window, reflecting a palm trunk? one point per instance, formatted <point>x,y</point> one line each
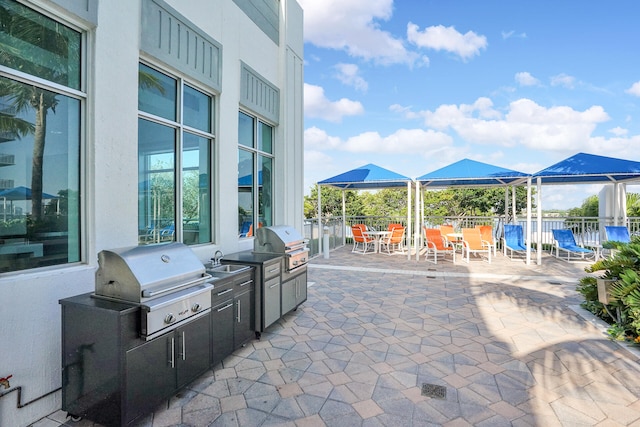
<point>39,177</point>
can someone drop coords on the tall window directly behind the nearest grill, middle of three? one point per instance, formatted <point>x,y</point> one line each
<point>175,140</point>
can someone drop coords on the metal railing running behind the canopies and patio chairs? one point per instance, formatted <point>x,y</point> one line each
<point>587,230</point>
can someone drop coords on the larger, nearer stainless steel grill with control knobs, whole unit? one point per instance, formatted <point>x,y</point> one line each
<point>167,281</point>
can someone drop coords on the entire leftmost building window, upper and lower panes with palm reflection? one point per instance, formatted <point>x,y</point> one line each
<point>41,108</point>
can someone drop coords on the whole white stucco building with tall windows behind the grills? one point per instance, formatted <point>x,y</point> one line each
<point>159,120</point>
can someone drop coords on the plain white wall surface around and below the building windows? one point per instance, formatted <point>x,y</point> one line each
<point>29,309</point>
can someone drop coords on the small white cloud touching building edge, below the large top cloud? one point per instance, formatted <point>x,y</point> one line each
<point>317,105</point>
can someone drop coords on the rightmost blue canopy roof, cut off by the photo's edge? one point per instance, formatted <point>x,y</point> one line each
<point>590,168</point>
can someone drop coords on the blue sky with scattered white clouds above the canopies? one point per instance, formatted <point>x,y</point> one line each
<point>415,85</point>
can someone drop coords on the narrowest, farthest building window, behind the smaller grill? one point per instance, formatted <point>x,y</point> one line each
<point>255,166</point>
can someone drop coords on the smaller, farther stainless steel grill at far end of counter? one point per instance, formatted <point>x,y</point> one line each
<point>283,240</point>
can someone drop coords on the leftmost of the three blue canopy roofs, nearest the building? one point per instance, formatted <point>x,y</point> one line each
<point>367,177</point>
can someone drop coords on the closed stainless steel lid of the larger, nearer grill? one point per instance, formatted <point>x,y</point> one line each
<point>139,273</point>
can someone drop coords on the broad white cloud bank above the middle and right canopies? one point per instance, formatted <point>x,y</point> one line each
<point>525,123</point>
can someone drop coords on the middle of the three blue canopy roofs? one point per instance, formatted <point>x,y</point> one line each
<point>471,173</point>
